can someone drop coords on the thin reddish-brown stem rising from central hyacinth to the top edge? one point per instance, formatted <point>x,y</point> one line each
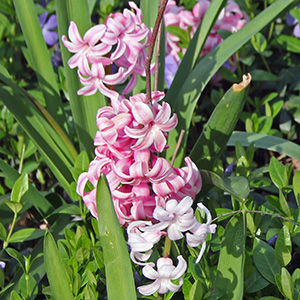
<point>151,48</point>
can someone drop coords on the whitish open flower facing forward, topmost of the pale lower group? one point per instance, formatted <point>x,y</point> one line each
<point>176,217</point>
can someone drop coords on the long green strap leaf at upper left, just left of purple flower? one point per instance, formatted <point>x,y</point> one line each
<point>40,59</point>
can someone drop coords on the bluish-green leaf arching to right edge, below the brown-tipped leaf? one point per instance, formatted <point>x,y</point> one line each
<point>265,141</point>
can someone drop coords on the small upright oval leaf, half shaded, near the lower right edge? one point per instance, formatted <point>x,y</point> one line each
<point>283,247</point>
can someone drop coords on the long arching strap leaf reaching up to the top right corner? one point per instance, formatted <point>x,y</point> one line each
<point>185,101</point>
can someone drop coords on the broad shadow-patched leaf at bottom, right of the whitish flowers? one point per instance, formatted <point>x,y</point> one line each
<point>230,270</point>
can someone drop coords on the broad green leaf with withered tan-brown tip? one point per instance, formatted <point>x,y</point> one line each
<point>218,129</point>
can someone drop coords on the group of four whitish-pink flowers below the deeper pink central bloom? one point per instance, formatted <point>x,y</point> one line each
<point>172,221</point>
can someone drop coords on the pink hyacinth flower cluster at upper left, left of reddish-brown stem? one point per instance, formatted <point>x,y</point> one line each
<point>121,43</point>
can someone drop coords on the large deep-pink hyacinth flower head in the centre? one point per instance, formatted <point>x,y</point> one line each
<point>129,134</point>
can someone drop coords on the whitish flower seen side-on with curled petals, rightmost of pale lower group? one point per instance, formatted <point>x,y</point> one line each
<point>200,232</point>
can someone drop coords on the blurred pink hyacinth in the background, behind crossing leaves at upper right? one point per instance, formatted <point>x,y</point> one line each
<point>231,18</point>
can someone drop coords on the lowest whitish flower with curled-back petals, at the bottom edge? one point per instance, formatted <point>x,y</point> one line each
<point>166,272</point>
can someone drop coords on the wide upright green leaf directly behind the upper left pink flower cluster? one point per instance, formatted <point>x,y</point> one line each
<point>84,108</point>
